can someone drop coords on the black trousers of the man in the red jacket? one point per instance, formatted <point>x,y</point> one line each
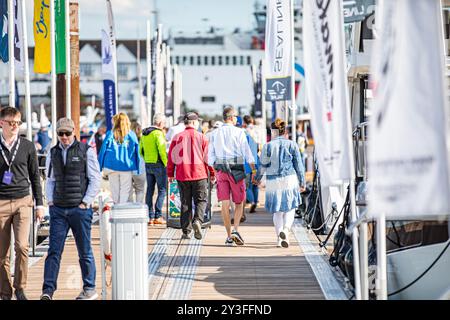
<point>196,191</point>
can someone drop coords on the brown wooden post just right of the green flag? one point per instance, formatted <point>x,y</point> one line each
<point>75,65</point>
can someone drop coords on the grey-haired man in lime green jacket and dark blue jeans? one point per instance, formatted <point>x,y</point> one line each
<point>152,148</point>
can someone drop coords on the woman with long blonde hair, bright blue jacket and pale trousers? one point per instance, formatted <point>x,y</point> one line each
<point>119,157</point>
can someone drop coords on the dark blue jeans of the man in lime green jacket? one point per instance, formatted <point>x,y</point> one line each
<point>156,174</point>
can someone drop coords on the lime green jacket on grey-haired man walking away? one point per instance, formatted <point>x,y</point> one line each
<point>152,146</point>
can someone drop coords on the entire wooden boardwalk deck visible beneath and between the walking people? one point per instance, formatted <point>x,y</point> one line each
<point>258,270</point>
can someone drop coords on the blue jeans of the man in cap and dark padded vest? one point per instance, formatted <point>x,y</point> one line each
<point>80,221</point>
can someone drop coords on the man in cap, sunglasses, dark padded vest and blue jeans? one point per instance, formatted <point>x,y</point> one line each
<point>73,182</point>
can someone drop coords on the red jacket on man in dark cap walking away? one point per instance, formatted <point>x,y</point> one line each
<point>188,153</point>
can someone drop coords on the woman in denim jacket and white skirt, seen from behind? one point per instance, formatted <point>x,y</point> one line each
<point>283,167</point>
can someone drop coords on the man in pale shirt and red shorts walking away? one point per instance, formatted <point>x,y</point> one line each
<point>228,147</point>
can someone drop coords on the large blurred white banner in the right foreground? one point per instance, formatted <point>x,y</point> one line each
<point>408,147</point>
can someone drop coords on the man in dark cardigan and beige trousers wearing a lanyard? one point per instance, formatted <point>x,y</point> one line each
<point>18,170</point>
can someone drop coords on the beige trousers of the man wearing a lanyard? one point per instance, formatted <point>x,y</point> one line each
<point>14,213</point>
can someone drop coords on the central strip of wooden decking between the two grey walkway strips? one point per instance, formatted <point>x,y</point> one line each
<point>258,270</point>
